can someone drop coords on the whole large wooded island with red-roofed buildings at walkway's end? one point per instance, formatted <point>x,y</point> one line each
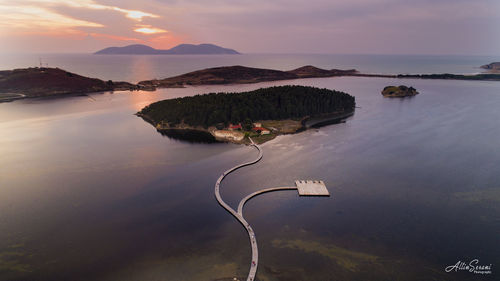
<point>261,114</point>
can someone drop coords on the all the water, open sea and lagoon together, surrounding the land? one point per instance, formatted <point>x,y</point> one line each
<point>90,191</point>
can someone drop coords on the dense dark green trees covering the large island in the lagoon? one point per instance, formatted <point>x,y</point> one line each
<point>274,103</point>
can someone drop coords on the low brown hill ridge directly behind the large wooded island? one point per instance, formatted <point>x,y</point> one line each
<point>241,74</point>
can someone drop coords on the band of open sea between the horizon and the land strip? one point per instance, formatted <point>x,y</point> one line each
<point>144,67</point>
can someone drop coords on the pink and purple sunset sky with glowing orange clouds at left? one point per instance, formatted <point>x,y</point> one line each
<point>456,27</point>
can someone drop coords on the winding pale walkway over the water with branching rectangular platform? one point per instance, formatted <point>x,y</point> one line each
<point>305,188</point>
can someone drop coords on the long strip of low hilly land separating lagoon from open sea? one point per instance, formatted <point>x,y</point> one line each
<point>220,76</point>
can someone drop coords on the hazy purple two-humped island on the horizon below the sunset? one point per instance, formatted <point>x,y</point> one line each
<point>182,49</point>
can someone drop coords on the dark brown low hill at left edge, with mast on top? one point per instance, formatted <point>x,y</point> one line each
<point>38,82</point>
